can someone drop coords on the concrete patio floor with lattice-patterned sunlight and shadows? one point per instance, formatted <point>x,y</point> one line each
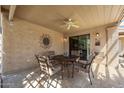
<point>105,77</point>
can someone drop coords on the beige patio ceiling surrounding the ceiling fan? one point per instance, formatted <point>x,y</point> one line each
<point>52,17</point>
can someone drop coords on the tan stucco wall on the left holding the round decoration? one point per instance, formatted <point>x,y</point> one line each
<point>21,42</point>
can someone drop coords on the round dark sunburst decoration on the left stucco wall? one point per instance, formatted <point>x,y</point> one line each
<point>45,41</point>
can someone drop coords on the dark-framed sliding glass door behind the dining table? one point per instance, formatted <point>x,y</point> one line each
<point>80,46</point>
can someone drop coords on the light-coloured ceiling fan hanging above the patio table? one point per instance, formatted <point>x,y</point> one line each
<point>69,23</point>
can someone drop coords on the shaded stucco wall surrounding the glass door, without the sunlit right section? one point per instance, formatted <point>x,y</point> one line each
<point>92,32</point>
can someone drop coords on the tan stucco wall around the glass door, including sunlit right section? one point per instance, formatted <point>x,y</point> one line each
<point>108,49</point>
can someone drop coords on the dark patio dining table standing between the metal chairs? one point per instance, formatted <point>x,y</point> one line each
<point>65,61</point>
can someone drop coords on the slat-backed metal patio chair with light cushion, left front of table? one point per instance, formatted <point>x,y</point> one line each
<point>46,66</point>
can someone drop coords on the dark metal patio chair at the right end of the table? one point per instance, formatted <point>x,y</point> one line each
<point>86,66</point>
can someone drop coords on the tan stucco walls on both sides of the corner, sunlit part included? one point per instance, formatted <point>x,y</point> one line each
<point>21,42</point>
